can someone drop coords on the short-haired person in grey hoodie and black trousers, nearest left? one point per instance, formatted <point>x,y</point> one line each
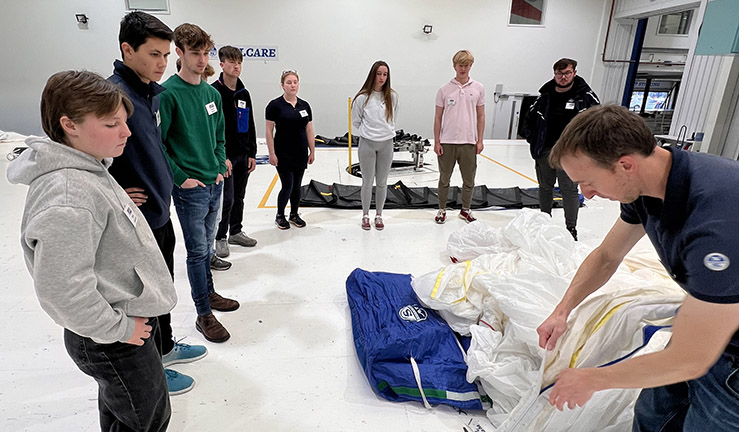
<point>96,267</point>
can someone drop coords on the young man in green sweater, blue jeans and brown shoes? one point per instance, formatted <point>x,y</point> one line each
<point>193,137</point>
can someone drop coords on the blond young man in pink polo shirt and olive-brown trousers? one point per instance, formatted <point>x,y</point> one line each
<point>459,123</point>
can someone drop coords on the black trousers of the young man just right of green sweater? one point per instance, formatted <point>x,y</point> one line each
<point>234,190</point>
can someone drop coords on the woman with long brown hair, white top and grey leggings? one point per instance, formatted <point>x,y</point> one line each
<point>373,116</point>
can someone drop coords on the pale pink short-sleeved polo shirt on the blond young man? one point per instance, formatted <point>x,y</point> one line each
<point>460,102</point>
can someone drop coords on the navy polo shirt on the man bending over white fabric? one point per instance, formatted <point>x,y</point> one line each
<point>695,230</point>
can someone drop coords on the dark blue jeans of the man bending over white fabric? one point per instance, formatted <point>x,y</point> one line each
<point>709,403</point>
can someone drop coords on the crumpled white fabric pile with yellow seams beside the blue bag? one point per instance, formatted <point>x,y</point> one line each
<point>508,281</point>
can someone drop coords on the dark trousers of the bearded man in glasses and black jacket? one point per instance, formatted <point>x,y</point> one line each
<point>546,176</point>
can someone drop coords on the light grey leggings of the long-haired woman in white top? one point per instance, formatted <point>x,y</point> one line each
<point>375,159</point>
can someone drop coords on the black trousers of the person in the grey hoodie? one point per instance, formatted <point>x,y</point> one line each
<point>132,391</point>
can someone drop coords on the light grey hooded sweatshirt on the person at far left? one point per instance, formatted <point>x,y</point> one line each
<point>92,269</point>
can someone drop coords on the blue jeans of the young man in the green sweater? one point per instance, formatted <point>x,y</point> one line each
<point>197,209</point>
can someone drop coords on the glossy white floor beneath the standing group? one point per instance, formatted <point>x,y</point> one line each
<point>290,364</point>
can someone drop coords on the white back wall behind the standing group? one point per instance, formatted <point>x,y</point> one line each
<point>332,43</point>
